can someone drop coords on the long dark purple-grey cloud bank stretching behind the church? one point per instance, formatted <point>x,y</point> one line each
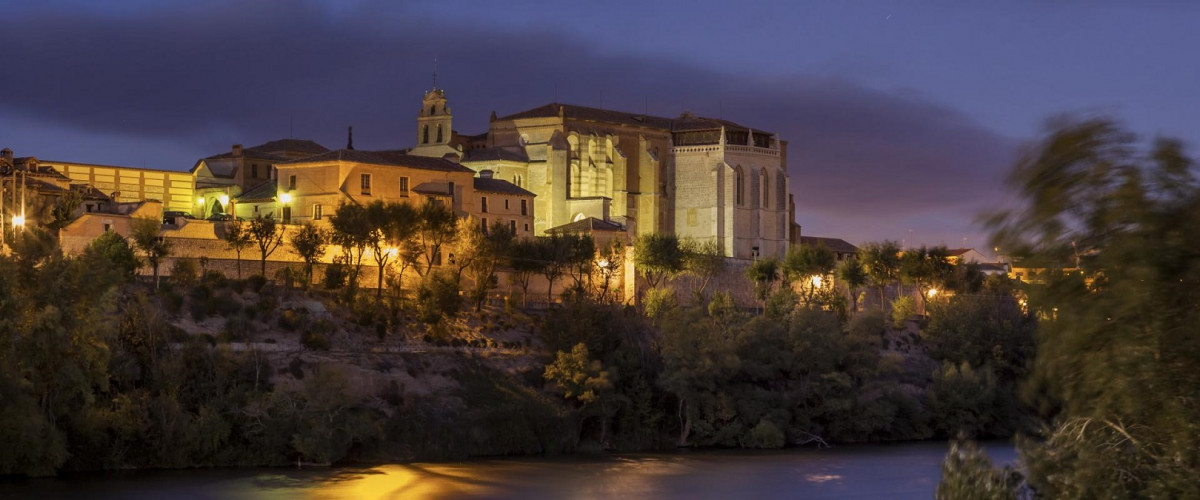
<point>214,75</point>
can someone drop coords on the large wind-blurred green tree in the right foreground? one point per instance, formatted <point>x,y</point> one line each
<point>1119,347</point>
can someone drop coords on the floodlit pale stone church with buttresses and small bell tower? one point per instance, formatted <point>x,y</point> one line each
<point>699,178</point>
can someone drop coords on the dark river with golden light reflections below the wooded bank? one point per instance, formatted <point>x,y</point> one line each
<point>868,472</point>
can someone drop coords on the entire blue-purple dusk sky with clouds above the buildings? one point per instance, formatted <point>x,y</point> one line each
<point>902,118</point>
